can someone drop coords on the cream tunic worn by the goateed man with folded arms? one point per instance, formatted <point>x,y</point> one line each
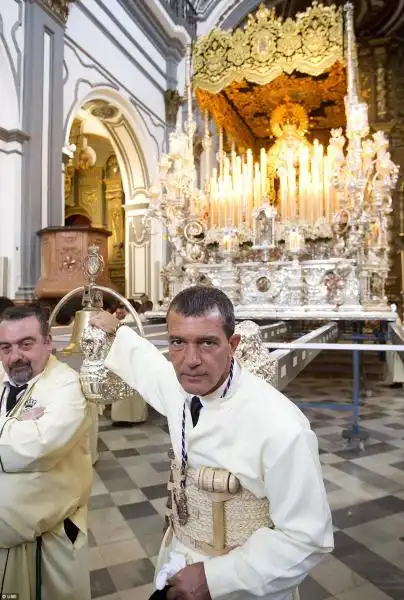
<point>45,478</point>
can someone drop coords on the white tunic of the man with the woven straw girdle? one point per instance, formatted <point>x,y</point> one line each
<point>257,434</point>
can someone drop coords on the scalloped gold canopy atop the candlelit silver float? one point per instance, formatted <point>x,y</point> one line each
<point>240,77</point>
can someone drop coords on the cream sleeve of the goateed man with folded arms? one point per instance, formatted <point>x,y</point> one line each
<point>38,444</point>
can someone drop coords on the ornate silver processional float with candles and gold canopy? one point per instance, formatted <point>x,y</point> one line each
<point>295,226</point>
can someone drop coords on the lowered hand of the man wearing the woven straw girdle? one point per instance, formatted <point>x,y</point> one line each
<point>189,584</point>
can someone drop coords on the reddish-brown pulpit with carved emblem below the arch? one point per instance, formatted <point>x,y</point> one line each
<point>62,252</point>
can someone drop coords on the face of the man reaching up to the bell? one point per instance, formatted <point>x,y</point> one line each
<point>200,351</point>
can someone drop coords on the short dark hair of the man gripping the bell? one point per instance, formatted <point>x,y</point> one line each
<point>200,300</point>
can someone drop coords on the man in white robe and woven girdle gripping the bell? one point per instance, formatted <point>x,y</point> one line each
<point>246,428</point>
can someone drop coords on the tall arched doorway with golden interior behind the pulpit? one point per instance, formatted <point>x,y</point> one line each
<point>106,181</point>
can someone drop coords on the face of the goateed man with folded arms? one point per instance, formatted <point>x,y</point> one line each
<point>24,351</point>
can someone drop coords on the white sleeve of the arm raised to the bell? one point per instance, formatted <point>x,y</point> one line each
<point>142,366</point>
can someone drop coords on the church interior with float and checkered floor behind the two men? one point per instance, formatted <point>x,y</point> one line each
<point>254,146</point>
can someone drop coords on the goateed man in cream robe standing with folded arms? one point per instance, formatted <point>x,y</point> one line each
<point>45,465</point>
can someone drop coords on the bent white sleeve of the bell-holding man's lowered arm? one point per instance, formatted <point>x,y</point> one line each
<point>278,560</point>
